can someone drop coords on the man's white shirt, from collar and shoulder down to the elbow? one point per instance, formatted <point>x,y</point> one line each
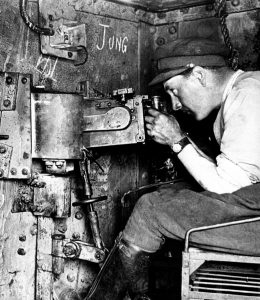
<point>237,130</point>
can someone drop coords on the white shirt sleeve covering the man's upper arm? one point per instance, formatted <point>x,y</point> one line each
<point>239,161</point>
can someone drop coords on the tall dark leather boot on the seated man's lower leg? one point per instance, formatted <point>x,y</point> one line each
<point>125,270</point>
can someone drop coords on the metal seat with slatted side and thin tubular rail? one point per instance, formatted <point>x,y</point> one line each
<point>216,275</point>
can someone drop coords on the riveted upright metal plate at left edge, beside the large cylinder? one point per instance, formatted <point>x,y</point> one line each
<point>15,128</point>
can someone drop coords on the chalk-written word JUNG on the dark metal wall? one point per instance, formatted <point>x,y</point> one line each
<point>112,42</point>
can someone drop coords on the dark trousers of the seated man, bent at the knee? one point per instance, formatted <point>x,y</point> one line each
<point>170,211</point>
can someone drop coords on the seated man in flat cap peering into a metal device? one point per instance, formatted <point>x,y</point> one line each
<point>198,85</point>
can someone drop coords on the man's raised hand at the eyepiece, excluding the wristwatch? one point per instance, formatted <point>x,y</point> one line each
<point>163,128</point>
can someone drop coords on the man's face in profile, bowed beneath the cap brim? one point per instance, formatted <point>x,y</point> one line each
<point>189,95</point>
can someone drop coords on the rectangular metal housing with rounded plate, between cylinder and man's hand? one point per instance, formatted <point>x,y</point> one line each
<point>110,122</point>
